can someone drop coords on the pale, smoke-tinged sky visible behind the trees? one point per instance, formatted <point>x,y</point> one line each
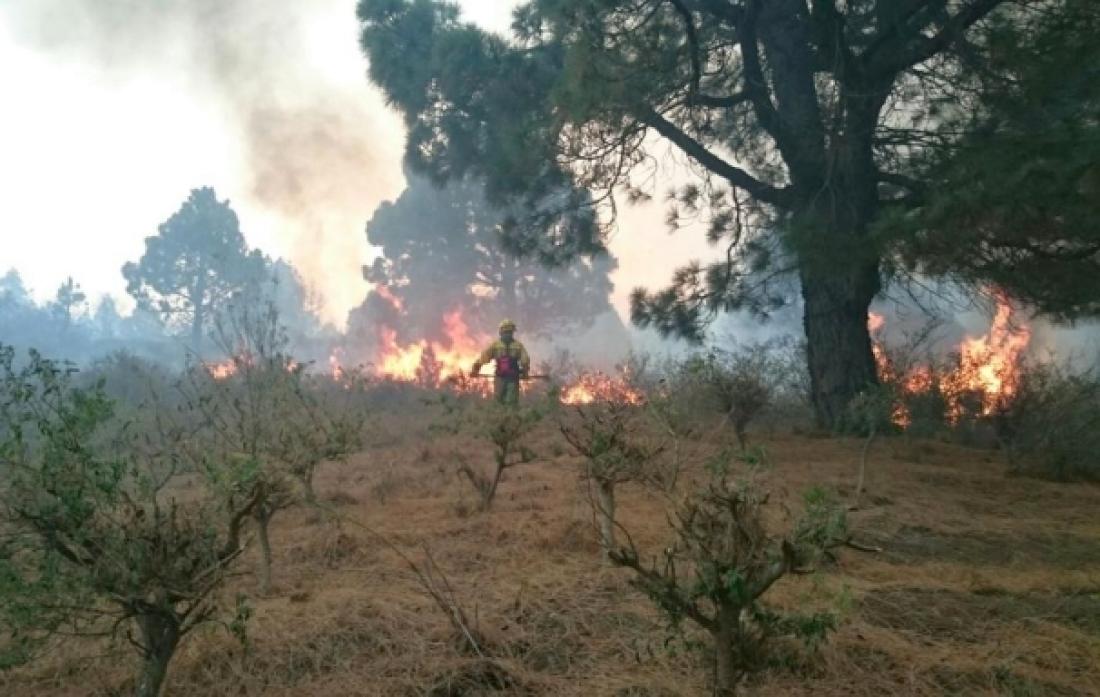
<point>116,109</point>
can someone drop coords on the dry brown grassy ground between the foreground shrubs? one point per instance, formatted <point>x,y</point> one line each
<point>987,584</point>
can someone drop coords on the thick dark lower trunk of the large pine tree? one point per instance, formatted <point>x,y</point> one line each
<point>839,344</point>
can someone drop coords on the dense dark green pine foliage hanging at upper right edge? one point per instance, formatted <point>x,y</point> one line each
<point>1018,198</point>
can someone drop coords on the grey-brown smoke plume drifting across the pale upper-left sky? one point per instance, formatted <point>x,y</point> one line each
<point>317,150</point>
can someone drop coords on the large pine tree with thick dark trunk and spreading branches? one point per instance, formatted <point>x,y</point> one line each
<point>808,125</point>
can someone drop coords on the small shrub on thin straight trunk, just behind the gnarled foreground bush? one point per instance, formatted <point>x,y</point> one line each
<point>614,453</point>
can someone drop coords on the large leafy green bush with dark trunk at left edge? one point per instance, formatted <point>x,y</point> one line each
<point>94,544</point>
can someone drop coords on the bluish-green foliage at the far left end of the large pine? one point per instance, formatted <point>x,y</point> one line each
<point>477,110</point>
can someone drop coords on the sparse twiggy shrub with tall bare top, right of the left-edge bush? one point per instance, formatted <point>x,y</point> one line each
<point>265,427</point>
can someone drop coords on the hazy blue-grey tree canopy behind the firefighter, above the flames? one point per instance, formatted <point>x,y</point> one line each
<point>442,251</point>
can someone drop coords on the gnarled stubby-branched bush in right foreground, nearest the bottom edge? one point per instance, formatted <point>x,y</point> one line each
<point>722,563</point>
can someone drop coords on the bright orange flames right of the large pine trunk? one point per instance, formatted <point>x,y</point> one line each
<point>985,378</point>
